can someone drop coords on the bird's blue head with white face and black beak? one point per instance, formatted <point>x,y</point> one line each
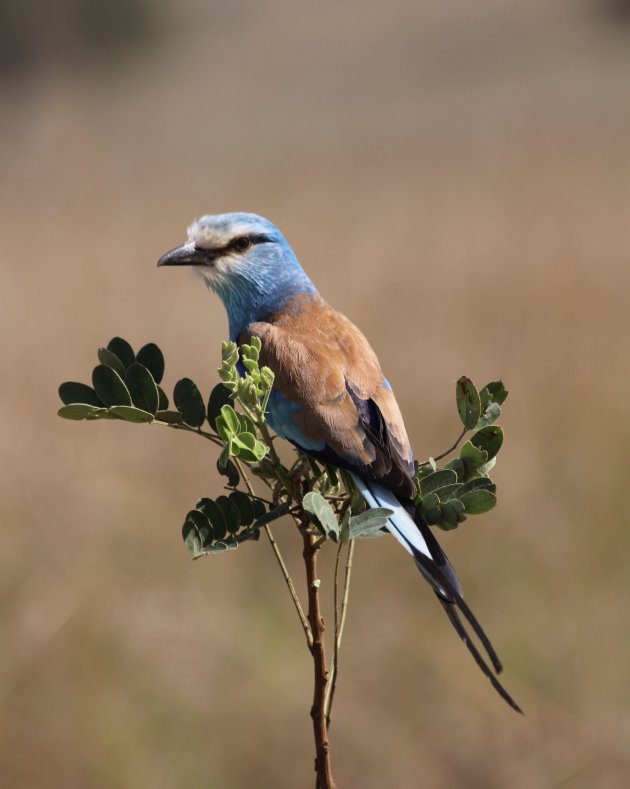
<point>247,261</point>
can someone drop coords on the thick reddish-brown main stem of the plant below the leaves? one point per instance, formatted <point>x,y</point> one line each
<point>325,779</point>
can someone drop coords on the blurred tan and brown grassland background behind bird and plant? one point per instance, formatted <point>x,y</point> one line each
<point>455,176</point>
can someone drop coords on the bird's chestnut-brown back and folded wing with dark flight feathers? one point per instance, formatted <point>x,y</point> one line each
<point>326,367</point>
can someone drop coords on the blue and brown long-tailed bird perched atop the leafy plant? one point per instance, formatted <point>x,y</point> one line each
<point>330,398</point>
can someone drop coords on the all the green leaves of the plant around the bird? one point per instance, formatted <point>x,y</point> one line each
<point>126,386</point>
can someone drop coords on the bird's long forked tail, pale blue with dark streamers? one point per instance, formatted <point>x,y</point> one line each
<point>411,531</point>
